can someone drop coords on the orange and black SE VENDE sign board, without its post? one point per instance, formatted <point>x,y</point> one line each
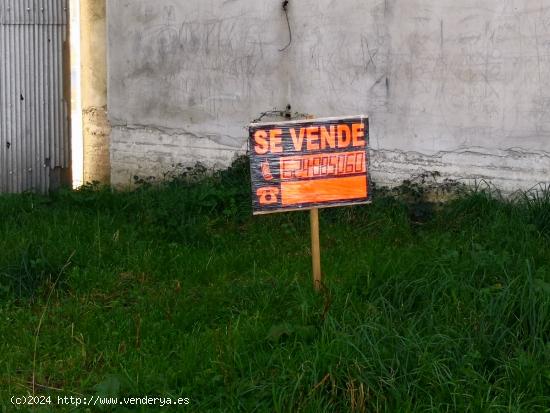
<point>309,164</point>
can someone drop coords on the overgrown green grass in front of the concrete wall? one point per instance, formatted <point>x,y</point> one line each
<point>178,291</point>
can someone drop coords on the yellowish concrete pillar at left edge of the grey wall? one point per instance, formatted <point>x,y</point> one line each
<point>96,128</point>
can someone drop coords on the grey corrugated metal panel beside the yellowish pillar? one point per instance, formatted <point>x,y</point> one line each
<point>34,129</point>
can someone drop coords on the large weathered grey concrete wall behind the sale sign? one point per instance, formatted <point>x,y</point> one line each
<point>459,87</point>
